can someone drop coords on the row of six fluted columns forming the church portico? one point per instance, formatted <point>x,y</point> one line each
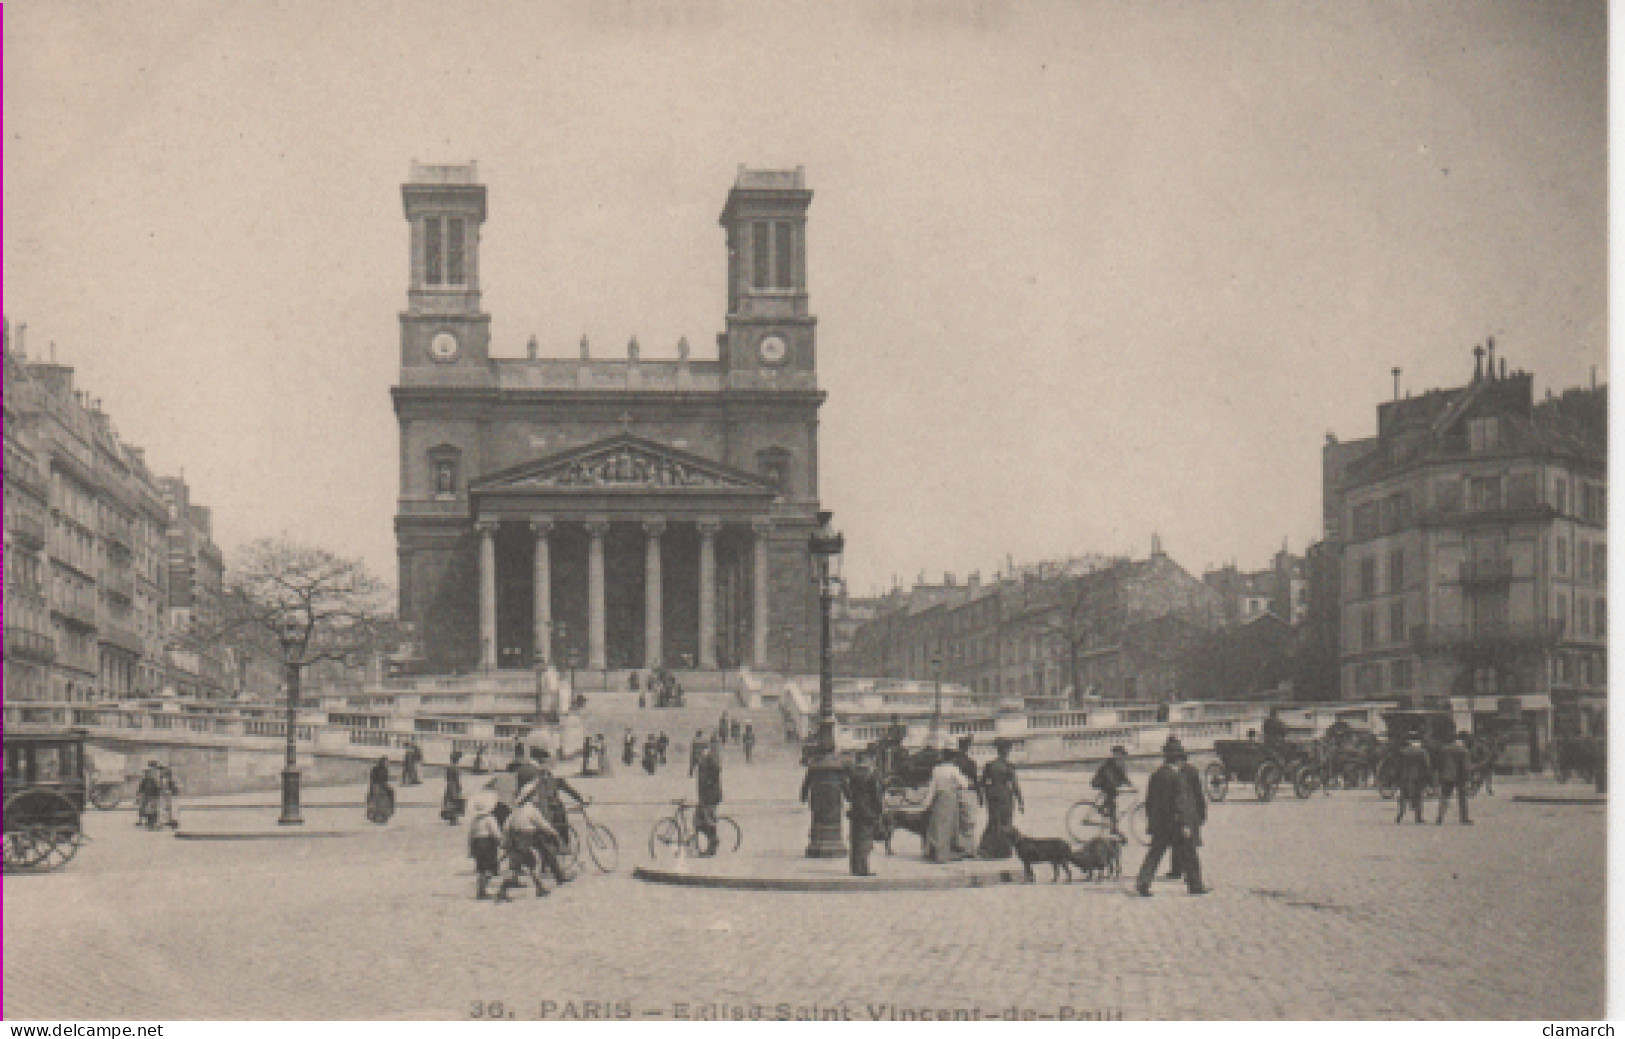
<point>656,531</point>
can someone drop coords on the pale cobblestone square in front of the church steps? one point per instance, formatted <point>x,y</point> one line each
<point>1322,910</point>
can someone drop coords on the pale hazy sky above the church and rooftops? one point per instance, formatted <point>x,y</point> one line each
<point>1085,271</point>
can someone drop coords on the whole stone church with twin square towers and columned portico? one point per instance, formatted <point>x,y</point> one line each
<point>609,513</point>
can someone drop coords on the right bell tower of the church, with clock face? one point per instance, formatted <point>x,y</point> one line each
<point>771,337</point>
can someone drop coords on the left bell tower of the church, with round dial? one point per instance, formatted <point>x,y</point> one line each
<point>443,326</point>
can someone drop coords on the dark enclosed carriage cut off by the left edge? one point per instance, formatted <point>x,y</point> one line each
<point>45,796</point>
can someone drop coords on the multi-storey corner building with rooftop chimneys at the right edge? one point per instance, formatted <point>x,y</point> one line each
<point>1473,552</point>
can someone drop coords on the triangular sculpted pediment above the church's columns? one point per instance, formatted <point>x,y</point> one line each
<point>623,463</point>
